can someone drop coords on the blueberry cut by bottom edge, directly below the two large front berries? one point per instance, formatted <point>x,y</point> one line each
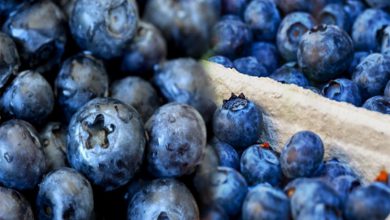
<point>163,199</point>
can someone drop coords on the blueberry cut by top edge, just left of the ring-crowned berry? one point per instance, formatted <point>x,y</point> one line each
<point>263,18</point>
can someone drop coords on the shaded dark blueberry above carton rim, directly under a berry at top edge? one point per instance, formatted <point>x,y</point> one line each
<point>266,53</point>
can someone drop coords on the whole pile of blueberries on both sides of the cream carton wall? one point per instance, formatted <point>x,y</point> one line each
<point>107,114</point>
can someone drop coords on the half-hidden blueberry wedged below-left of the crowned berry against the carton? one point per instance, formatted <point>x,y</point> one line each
<point>227,155</point>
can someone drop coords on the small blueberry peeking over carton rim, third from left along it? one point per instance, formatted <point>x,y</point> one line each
<point>289,73</point>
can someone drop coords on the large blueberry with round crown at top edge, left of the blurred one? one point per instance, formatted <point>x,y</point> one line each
<point>104,27</point>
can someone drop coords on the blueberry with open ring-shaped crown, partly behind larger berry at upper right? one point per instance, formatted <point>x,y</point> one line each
<point>290,32</point>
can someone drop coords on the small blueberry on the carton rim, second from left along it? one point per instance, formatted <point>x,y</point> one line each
<point>250,66</point>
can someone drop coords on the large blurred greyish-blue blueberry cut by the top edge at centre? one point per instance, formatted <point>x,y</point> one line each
<point>183,23</point>
